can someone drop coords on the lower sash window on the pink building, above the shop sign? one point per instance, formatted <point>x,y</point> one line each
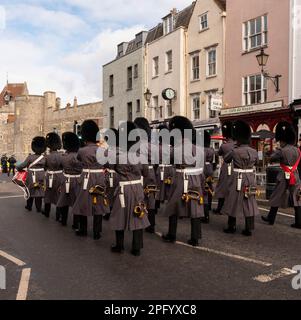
<point>254,90</point>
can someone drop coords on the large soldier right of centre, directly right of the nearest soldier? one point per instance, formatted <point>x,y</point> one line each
<point>186,196</point>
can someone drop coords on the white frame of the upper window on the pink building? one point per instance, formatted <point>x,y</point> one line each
<point>261,34</point>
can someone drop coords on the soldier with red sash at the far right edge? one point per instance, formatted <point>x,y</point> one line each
<point>287,192</point>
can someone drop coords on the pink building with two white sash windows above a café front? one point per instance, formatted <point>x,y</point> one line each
<point>249,95</point>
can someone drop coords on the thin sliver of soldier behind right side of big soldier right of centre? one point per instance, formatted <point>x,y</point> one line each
<point>209,155</point>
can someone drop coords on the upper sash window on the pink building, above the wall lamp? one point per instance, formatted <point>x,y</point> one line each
<point>255,33</point>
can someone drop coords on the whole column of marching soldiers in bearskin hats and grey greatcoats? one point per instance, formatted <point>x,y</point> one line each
<point>129,196</point>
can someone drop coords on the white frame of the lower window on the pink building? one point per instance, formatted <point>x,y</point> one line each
<point>247,92</point>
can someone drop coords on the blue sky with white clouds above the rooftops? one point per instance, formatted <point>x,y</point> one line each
<point>61,45</point>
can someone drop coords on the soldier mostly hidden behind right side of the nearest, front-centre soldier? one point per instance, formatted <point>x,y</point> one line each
<point>150,183</point>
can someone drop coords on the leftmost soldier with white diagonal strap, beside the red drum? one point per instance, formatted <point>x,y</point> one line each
<point>35,165</point>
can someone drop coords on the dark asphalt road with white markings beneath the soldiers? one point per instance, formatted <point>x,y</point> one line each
<point>61,266</point>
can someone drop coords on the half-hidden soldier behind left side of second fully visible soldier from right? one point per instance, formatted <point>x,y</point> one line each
<point>226,169</point>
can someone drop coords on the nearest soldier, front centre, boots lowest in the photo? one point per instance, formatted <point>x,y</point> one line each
<point>129,212</point>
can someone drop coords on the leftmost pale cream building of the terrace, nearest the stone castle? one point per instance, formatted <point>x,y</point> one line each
<point>124,83</point>
